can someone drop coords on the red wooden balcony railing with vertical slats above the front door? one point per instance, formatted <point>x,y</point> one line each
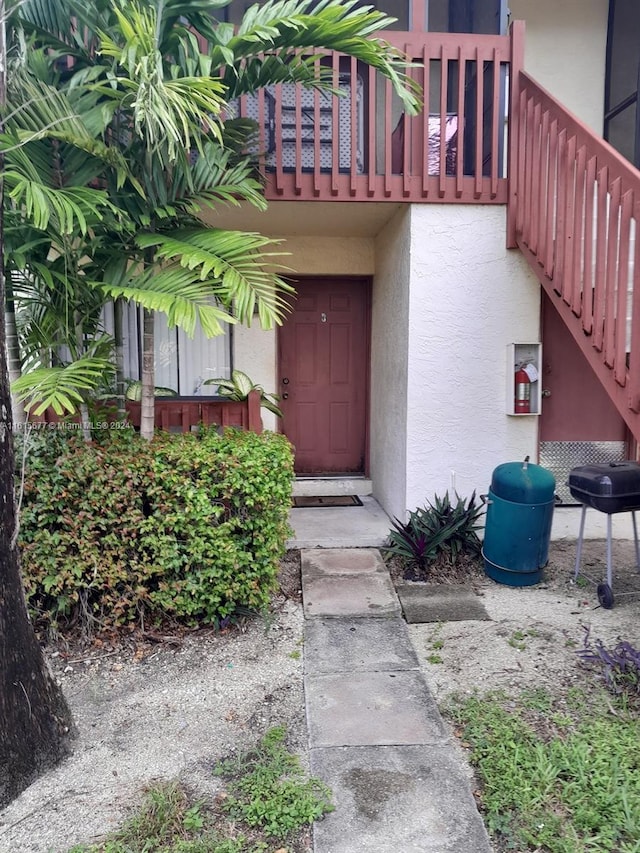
<point>360,146</point>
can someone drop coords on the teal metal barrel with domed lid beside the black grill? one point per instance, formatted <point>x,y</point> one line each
<point>518,523</point>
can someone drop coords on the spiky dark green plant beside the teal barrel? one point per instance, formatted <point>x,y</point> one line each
<point>437,528</point>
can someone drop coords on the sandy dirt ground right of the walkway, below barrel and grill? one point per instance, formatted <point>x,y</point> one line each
<point>533,632</point>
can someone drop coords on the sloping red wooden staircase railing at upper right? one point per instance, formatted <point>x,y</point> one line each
<point>574,208</point>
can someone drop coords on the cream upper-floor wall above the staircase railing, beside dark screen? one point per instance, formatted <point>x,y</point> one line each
<point>565,51</point>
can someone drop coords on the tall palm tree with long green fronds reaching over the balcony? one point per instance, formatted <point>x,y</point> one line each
<point>164,71</point>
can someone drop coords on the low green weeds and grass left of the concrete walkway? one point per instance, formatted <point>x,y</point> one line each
<point>267,801</point>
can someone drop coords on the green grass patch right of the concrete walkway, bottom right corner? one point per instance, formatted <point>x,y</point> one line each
<point>556,776</point>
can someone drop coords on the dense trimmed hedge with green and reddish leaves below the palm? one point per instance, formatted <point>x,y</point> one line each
<point>186,526</point>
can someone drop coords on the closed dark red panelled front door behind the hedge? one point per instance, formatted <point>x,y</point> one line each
<point>323,355</point>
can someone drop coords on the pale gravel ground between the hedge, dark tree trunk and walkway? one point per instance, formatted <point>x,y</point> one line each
<point>165,712</point>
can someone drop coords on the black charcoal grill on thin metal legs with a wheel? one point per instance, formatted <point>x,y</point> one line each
<point>611,489</point>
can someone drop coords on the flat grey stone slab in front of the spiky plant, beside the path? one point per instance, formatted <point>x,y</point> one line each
<point>424,602</point>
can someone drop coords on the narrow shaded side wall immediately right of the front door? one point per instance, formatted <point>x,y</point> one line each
<point>389,363</point>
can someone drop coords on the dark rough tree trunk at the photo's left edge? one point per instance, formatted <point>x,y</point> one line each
<point>35,723</point>
